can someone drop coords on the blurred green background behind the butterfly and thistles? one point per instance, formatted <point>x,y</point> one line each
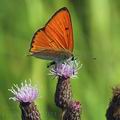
<point>96,25</point>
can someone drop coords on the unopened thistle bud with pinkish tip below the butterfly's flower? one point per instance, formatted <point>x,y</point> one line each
<point>73,111</point>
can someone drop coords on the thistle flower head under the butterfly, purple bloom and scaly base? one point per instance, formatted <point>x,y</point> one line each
<point>64,71</point>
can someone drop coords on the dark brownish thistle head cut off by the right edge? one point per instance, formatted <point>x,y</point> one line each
<point>113,111</point>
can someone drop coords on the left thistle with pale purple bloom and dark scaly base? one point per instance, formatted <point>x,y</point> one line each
<point>26,94</point>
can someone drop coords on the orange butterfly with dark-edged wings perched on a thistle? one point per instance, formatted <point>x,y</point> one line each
<point>55,40</point>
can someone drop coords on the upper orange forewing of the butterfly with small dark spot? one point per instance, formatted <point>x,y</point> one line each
<point>59,29</point>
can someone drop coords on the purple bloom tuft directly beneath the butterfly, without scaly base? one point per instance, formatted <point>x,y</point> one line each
<point>67,69</point>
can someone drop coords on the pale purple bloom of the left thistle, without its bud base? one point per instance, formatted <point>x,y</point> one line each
<point>25,93</point>
